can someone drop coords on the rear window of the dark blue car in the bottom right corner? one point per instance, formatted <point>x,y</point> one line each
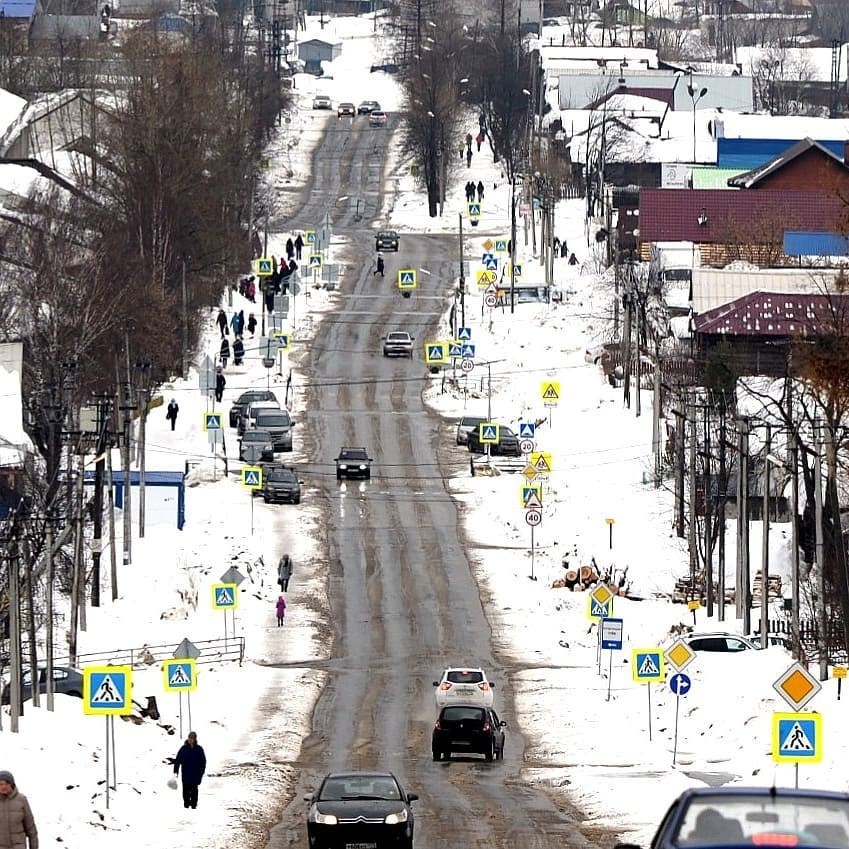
<point>764,820</point>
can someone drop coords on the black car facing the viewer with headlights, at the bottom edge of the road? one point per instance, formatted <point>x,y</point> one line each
<point>362,809</point>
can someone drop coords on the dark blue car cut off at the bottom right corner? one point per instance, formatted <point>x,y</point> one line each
<point>771,817</point>
